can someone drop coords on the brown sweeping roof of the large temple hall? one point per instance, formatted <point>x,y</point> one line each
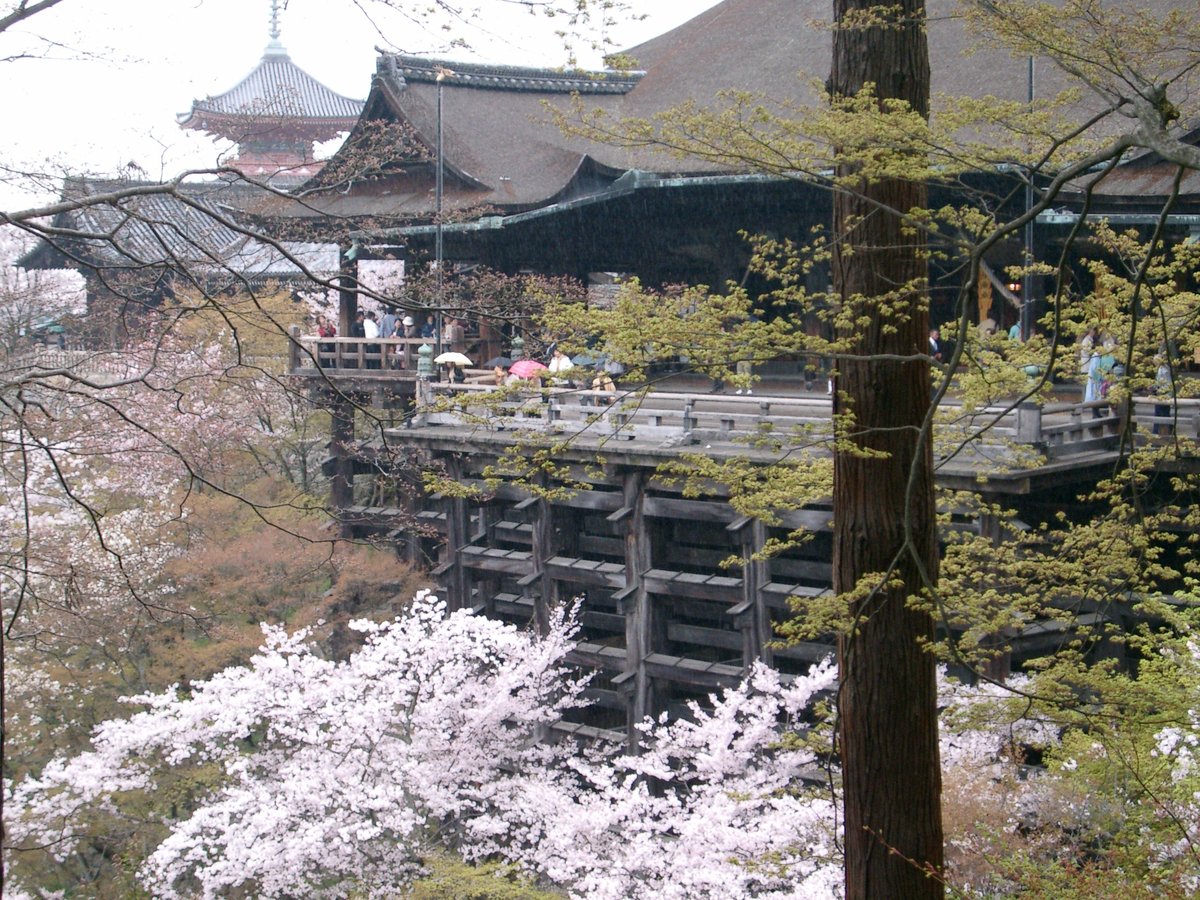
<point>502,151</point>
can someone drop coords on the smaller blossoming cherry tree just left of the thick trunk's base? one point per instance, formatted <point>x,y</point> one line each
<point>729,801</point>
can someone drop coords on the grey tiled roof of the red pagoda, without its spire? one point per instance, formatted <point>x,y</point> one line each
<point>277,91</point>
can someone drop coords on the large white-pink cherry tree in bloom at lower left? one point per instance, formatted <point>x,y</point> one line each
<point>335,775</point>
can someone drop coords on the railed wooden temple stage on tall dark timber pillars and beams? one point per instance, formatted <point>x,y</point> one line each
<point>664,616</point>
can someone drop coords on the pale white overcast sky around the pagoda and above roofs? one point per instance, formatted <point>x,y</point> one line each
<point>111,76</point>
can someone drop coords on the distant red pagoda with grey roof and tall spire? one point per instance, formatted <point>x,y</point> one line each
<point>274,116</point>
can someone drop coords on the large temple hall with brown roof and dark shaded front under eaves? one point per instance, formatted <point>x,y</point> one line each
<point>479,161</point>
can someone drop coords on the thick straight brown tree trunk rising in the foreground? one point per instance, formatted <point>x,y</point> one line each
<point>884,506</point>
